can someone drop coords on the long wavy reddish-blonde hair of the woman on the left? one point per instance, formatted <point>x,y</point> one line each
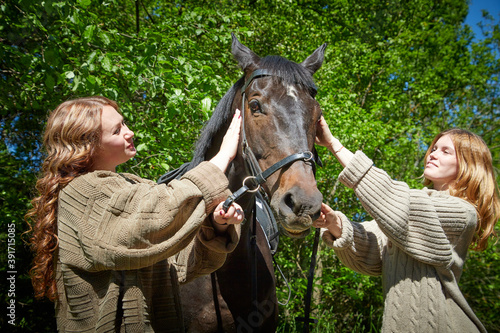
<point>71,138</point>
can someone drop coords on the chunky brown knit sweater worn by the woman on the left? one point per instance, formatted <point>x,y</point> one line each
<point>125,243</point>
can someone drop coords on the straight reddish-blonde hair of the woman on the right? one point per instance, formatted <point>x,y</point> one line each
<point>475,182</point>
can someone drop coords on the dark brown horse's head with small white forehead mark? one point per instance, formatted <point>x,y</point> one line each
<point>276,98</point>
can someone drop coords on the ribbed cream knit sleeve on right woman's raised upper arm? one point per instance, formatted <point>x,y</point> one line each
<point>420,224</point>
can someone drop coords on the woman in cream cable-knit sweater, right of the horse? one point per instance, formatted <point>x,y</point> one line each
<point>418,240</point>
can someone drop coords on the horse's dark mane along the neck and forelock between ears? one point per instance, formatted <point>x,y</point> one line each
<point>281,69</point>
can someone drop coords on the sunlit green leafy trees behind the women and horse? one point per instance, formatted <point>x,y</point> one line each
<point>395,74</point>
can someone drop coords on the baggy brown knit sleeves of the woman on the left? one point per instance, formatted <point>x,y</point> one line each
<point>107,221</point>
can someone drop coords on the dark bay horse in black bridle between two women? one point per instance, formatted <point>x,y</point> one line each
<point>280,116</point>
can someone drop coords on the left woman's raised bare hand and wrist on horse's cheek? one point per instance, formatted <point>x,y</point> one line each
<point>229,144</point>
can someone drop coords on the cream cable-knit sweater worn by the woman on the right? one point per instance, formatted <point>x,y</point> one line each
<point>418,242</point>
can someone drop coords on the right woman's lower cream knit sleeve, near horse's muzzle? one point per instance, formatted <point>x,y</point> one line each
<point>359,247</point>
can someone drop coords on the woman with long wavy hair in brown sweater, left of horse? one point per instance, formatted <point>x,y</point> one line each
<point>110,248</point>
